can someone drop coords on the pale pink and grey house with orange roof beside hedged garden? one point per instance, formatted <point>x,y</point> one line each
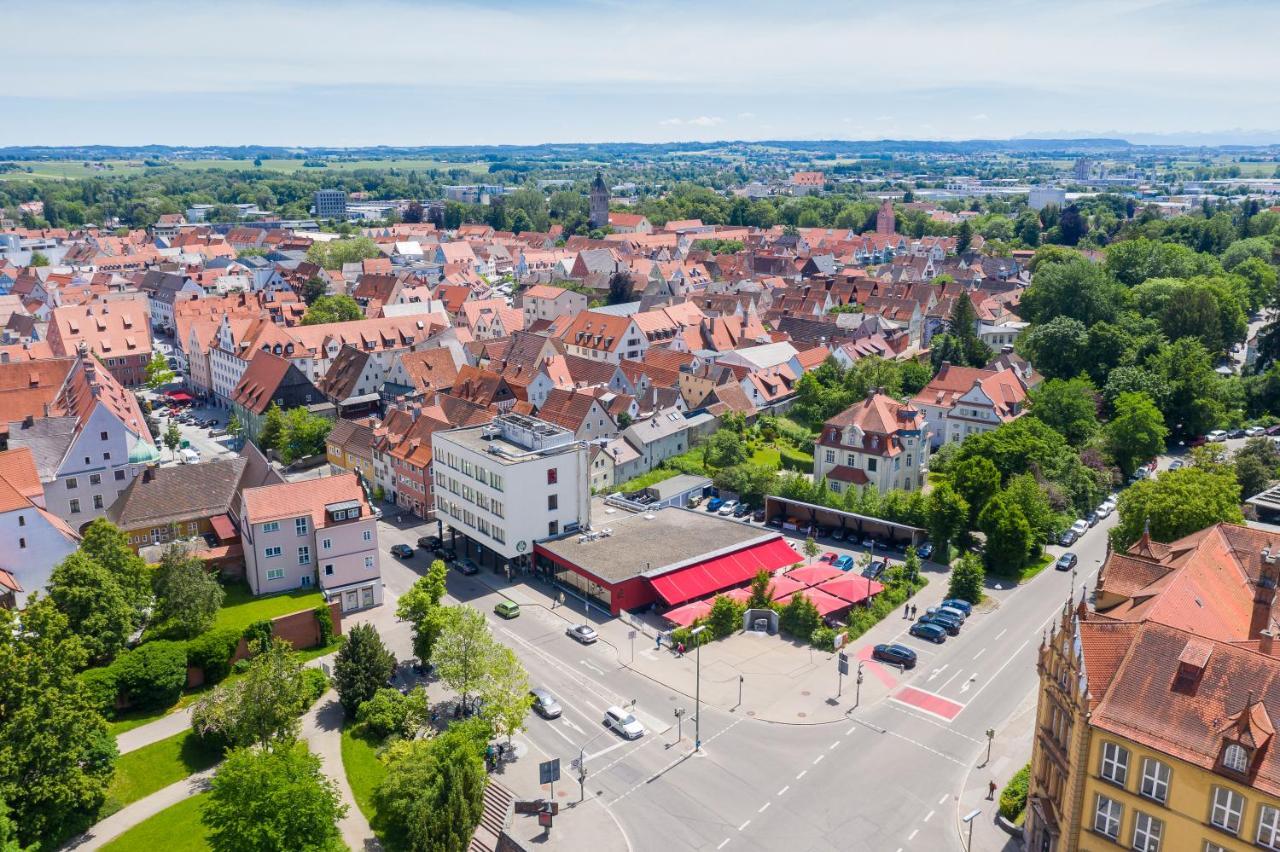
<point>313,534</point>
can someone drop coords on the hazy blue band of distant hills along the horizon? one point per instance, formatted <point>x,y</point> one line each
<point>618,150</point>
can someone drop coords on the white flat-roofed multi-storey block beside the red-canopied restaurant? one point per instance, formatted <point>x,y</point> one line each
<point>506,485</point>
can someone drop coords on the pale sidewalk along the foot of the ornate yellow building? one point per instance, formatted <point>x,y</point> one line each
<point>1009,753</point>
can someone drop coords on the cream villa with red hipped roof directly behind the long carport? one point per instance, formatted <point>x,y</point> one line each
<point>876,443</point>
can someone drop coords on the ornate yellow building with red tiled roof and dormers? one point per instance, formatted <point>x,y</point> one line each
<point>1158,708</point>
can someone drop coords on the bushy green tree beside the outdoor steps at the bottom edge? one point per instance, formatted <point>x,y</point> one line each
<point>433,794</point>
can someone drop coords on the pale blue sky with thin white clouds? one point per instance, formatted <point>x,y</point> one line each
<point>492,72</point>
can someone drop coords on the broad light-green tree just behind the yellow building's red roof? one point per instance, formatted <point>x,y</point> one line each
<point>1176,505</point>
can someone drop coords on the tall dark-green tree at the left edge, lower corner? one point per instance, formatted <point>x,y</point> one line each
<point>57,755</point>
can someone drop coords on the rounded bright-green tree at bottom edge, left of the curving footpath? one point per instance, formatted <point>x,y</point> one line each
<point>263,801</point>
